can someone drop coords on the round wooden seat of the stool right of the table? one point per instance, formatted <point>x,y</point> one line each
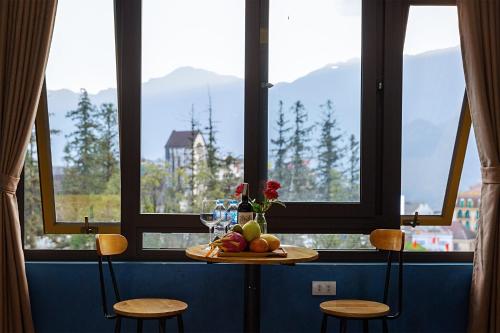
<point>353,308</point>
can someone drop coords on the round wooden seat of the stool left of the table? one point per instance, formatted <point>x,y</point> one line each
<point>149,307</point>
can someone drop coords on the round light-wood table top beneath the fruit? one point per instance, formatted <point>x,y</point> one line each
<point>295,255</point>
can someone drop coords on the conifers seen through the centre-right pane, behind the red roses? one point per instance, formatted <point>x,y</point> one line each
<point>325,170</point>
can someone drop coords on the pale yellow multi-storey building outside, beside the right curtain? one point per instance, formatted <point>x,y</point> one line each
<point>467,207</point>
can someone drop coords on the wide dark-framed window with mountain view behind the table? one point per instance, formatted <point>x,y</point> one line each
<point>241,91</point>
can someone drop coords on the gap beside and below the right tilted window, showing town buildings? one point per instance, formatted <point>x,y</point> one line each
<point>461,235</point>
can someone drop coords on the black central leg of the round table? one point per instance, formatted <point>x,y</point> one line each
<point>252,299</point>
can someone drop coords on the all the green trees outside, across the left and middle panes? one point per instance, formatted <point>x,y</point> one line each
<point>324,169</point>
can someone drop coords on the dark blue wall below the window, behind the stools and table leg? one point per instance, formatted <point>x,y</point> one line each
<point>65,296</point>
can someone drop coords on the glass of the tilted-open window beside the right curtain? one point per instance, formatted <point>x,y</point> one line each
<point>433,90</point>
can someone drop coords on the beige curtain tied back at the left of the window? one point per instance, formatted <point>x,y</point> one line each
<point>25,33</point>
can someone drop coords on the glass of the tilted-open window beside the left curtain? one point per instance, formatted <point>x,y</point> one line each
<point>81,93</point>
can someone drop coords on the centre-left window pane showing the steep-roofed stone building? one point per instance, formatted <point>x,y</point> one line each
<point>192,102</point>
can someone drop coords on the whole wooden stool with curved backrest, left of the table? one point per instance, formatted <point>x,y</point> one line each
<point>139,309</point>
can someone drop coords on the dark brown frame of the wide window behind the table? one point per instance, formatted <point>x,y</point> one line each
<point>382,208</point>
